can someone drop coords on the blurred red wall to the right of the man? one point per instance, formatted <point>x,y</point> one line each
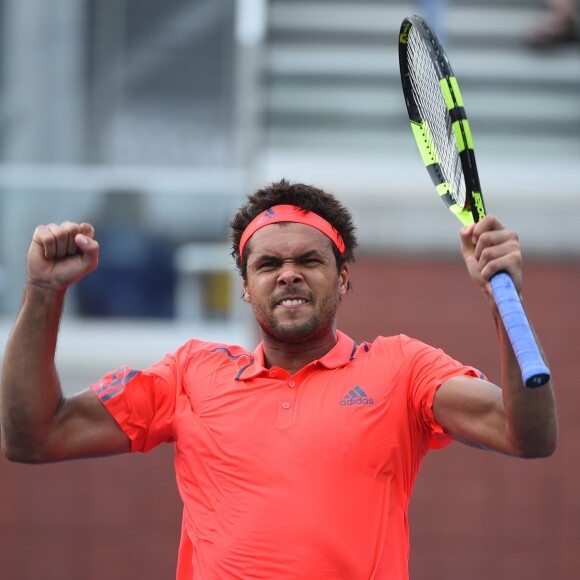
<point>478,515</point>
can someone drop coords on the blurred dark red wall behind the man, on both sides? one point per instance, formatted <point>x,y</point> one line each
<point>474,515</point>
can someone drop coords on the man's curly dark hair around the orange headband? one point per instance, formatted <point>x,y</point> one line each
<point>304,196</point>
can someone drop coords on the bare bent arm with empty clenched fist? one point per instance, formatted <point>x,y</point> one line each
<point>38,424</point>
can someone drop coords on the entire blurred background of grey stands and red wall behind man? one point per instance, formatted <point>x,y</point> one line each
<point>153,119</point>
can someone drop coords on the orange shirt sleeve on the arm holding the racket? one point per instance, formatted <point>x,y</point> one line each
<point>428,369</point>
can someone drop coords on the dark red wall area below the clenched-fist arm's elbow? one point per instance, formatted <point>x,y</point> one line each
<point>115,518</point>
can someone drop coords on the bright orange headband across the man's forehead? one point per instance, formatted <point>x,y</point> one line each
<point>291,213</point>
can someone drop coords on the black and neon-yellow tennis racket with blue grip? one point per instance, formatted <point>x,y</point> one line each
<point>443,136</point>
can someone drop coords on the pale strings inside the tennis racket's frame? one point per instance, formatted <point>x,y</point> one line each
<point>433,109</point>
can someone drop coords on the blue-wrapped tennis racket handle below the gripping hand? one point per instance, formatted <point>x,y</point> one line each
<point>534,370</point>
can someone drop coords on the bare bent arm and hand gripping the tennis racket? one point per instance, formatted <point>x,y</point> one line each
<point>513,419</point>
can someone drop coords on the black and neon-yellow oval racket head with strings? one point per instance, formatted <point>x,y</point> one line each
<point>438,120</point>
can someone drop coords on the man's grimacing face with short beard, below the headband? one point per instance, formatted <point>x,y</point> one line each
<point>293,283</point>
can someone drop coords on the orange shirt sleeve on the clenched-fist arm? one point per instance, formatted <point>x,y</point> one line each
<point>142,401</point>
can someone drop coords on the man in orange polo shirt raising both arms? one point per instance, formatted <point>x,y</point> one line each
<point>296,460</point>
